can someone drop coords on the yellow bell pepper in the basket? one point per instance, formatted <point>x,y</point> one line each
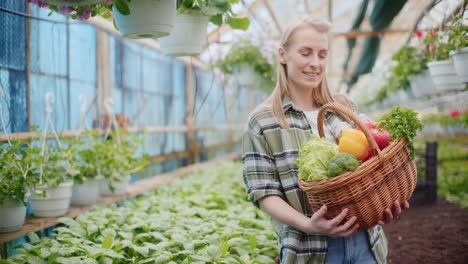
<point>354,142</point>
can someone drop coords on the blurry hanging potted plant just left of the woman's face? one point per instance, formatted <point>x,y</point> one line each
<point>254,65</point>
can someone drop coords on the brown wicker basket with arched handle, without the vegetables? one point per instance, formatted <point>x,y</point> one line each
<point>388,176</point>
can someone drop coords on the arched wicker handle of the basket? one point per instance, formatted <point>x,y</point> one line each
<point>348,115</point>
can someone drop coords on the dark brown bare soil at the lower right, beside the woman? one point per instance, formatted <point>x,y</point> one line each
<point>429,234</point>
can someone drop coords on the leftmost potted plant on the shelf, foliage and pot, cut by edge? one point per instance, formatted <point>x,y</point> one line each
<point>17,180</point>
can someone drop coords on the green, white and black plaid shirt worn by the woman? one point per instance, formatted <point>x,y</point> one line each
<point>269,153</point>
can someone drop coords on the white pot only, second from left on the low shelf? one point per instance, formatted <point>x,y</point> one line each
<point>56,203</point>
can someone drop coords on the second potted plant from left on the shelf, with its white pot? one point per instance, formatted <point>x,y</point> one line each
<point>53,191</point>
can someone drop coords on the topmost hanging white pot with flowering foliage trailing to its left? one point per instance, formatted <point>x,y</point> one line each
<point>134,19</point>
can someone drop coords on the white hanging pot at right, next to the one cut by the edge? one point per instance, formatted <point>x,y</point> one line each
<point>444,76</point>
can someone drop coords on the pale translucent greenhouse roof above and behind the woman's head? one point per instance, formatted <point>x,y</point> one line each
<point>268,18</point>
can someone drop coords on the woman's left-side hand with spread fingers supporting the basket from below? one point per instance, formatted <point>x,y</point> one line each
<point>318,224</point>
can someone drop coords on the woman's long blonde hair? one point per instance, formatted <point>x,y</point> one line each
<point>321,95</point>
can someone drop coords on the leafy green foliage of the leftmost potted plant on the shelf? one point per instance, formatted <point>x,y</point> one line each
<point>19,173</point>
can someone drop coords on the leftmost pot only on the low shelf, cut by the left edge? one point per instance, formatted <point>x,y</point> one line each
<point>12,215</point>
